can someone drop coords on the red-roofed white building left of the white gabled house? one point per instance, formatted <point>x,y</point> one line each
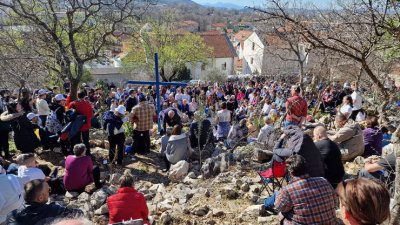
<point>223,55</point>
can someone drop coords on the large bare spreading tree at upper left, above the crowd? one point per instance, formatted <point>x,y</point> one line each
<point>70,33</point>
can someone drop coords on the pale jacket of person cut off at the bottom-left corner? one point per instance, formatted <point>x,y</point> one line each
<point>11,194</point>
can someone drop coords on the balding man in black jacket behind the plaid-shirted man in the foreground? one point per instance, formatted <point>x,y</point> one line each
<point>331,157</point>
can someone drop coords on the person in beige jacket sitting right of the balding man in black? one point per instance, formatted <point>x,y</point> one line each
<point>349,137</point>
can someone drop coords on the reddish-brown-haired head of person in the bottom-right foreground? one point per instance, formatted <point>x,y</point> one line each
<point>363,201</point>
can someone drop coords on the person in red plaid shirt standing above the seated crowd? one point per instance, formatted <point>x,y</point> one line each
<point>296,108</point>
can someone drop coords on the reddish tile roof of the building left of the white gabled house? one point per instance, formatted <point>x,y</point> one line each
<point>222,47</point>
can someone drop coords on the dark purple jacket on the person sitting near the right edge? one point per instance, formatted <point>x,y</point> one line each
<point>373,138</point>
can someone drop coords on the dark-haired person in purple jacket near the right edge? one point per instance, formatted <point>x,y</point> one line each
<point>373,137</point>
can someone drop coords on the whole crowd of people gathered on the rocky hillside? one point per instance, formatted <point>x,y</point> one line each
<point>228,113</point>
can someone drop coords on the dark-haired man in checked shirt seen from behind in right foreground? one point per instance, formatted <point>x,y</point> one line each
<point>306,200</point>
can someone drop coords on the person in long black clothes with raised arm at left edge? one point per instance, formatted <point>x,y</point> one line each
<point>25,138</point>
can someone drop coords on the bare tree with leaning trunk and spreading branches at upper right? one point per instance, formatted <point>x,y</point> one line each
<point>353,29</point>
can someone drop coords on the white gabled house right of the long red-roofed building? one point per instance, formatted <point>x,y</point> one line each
<point>250,51</point>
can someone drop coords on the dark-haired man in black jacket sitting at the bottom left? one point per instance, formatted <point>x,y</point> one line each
<point>36,211</point>
